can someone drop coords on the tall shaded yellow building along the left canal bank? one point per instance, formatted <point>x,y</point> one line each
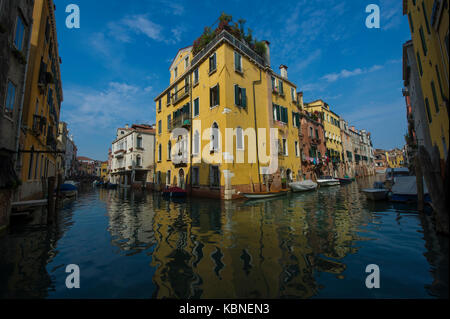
<point>42,103</point>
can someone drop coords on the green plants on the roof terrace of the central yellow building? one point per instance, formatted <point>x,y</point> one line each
<point>225,22</point>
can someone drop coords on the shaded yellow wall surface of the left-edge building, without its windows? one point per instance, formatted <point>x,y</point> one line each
<point>34,95</point>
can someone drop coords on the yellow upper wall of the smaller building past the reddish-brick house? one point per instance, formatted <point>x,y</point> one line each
<point>330,129</point>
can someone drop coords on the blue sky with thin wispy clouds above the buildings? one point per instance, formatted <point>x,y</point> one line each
<point>117,62</point>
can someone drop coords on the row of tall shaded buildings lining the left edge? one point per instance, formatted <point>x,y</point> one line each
<point>34,144</point>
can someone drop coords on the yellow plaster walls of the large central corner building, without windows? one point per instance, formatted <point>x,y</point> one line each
<point>228,115</point>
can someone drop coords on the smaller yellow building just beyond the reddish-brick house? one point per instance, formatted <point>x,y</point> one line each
<point>331,123</point>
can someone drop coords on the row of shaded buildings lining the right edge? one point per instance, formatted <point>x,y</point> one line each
<point>426,78</point>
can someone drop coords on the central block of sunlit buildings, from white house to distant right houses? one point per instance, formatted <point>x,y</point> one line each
<point>227,124</point>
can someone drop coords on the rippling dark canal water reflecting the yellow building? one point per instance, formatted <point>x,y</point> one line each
<point>131,244</point>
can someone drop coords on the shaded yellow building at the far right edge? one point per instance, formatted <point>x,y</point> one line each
<point>429,25</point>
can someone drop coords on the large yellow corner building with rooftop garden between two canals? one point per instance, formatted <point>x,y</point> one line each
<point>227,98</point>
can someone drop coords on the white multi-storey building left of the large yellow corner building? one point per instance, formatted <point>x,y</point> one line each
<point>133,155</point>
